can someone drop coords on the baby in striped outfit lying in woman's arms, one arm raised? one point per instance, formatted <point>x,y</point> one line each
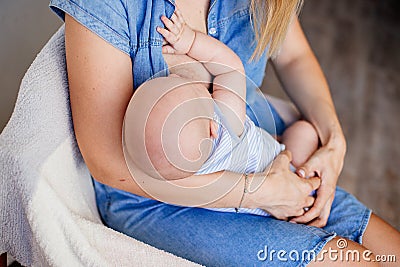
<point>184,130</point>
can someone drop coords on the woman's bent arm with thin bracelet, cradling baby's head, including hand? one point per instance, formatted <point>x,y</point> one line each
<point>100,84</point>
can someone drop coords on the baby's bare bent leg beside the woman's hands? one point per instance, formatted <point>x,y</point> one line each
<point>302,140</point>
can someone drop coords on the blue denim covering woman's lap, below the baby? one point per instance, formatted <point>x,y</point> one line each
<point>226,239</point>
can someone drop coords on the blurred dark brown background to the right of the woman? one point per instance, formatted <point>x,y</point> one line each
<point>358,45</point>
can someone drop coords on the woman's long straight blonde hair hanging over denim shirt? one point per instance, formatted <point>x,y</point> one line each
<point>271,19</point>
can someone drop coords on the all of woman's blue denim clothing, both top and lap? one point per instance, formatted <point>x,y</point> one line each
<point>208,237</point>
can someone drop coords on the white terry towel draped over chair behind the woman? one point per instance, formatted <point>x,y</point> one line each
<point>48,214</point>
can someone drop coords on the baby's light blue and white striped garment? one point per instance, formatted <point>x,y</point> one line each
<point>252,152</point>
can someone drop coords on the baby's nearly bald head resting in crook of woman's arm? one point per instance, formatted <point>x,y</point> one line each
<point>177,128</point>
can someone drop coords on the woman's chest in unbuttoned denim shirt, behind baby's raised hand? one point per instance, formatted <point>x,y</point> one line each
<point>226,20</point>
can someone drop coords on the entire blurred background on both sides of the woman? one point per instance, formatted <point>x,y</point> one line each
<point>357,43</point>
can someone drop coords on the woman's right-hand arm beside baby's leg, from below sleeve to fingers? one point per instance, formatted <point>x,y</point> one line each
<point>303,80</point>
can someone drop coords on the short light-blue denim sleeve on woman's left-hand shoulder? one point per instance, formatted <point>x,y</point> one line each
<point>106,18</point>
